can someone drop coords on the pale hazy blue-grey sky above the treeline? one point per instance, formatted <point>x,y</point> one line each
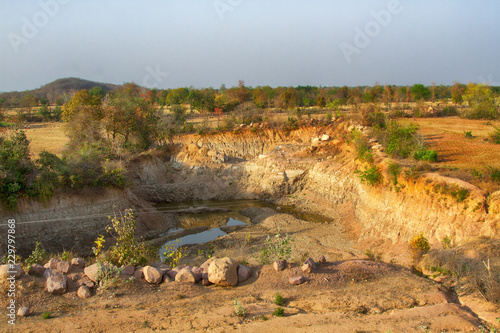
<point>176,43</point>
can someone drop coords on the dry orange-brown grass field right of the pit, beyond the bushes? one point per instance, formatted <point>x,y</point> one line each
<point>447,137</point>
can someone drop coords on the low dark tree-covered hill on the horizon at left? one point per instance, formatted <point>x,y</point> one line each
<point>57,89</point>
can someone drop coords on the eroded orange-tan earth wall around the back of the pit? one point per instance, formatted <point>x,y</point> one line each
<point>289,168</point>
